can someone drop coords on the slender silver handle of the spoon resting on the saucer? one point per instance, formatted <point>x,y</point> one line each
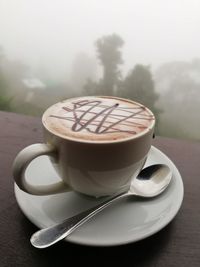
<point>51,235</point>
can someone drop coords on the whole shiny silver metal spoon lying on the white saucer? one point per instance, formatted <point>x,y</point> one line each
<point>150,182</point>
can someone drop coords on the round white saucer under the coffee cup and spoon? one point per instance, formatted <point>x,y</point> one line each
<point>127,221</point>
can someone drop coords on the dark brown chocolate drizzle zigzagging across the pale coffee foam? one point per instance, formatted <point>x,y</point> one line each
<point>99,118</point>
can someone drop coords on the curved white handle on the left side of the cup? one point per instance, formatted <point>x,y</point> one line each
<point>21,162</point>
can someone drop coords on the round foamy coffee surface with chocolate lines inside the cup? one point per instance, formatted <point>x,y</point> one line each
<point>98,119</point>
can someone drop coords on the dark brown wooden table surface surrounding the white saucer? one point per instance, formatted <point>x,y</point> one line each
<point>178,244</point>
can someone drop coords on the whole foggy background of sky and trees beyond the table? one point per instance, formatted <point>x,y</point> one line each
<point>54,49</point>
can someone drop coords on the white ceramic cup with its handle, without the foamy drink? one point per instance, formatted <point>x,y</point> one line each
<point>90,167</point>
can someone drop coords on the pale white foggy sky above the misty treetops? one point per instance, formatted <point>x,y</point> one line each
<point>51,32</point>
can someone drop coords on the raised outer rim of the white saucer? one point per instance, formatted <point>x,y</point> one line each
<point>161,225</point>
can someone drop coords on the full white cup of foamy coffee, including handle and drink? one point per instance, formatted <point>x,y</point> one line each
<point>98,145</point>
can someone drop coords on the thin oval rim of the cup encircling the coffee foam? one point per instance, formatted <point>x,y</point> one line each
<point>79,140</point>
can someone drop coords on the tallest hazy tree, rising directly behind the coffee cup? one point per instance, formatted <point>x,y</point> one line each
<point>109,54</point>
